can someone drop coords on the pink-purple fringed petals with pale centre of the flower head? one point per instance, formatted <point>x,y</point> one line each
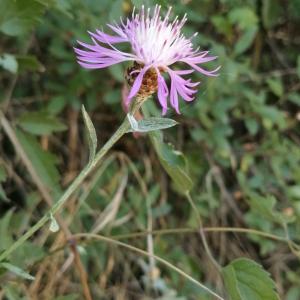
<point>156,44</point>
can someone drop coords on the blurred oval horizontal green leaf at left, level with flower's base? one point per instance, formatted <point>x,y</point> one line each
<point>40,123</point>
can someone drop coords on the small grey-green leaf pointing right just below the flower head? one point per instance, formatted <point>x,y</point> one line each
<point>151,124</point>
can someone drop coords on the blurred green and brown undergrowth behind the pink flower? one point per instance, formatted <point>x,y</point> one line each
<point>240,140</point>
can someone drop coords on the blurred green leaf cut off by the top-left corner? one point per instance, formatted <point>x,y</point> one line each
<point>18,17</point>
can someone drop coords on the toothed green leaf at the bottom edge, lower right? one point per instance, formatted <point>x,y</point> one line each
<point>247,280</point>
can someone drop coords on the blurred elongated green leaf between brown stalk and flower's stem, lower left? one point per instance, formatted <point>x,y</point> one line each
<point>43,162</point>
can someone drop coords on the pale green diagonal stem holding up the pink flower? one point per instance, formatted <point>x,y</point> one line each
<point>71,189</point>
